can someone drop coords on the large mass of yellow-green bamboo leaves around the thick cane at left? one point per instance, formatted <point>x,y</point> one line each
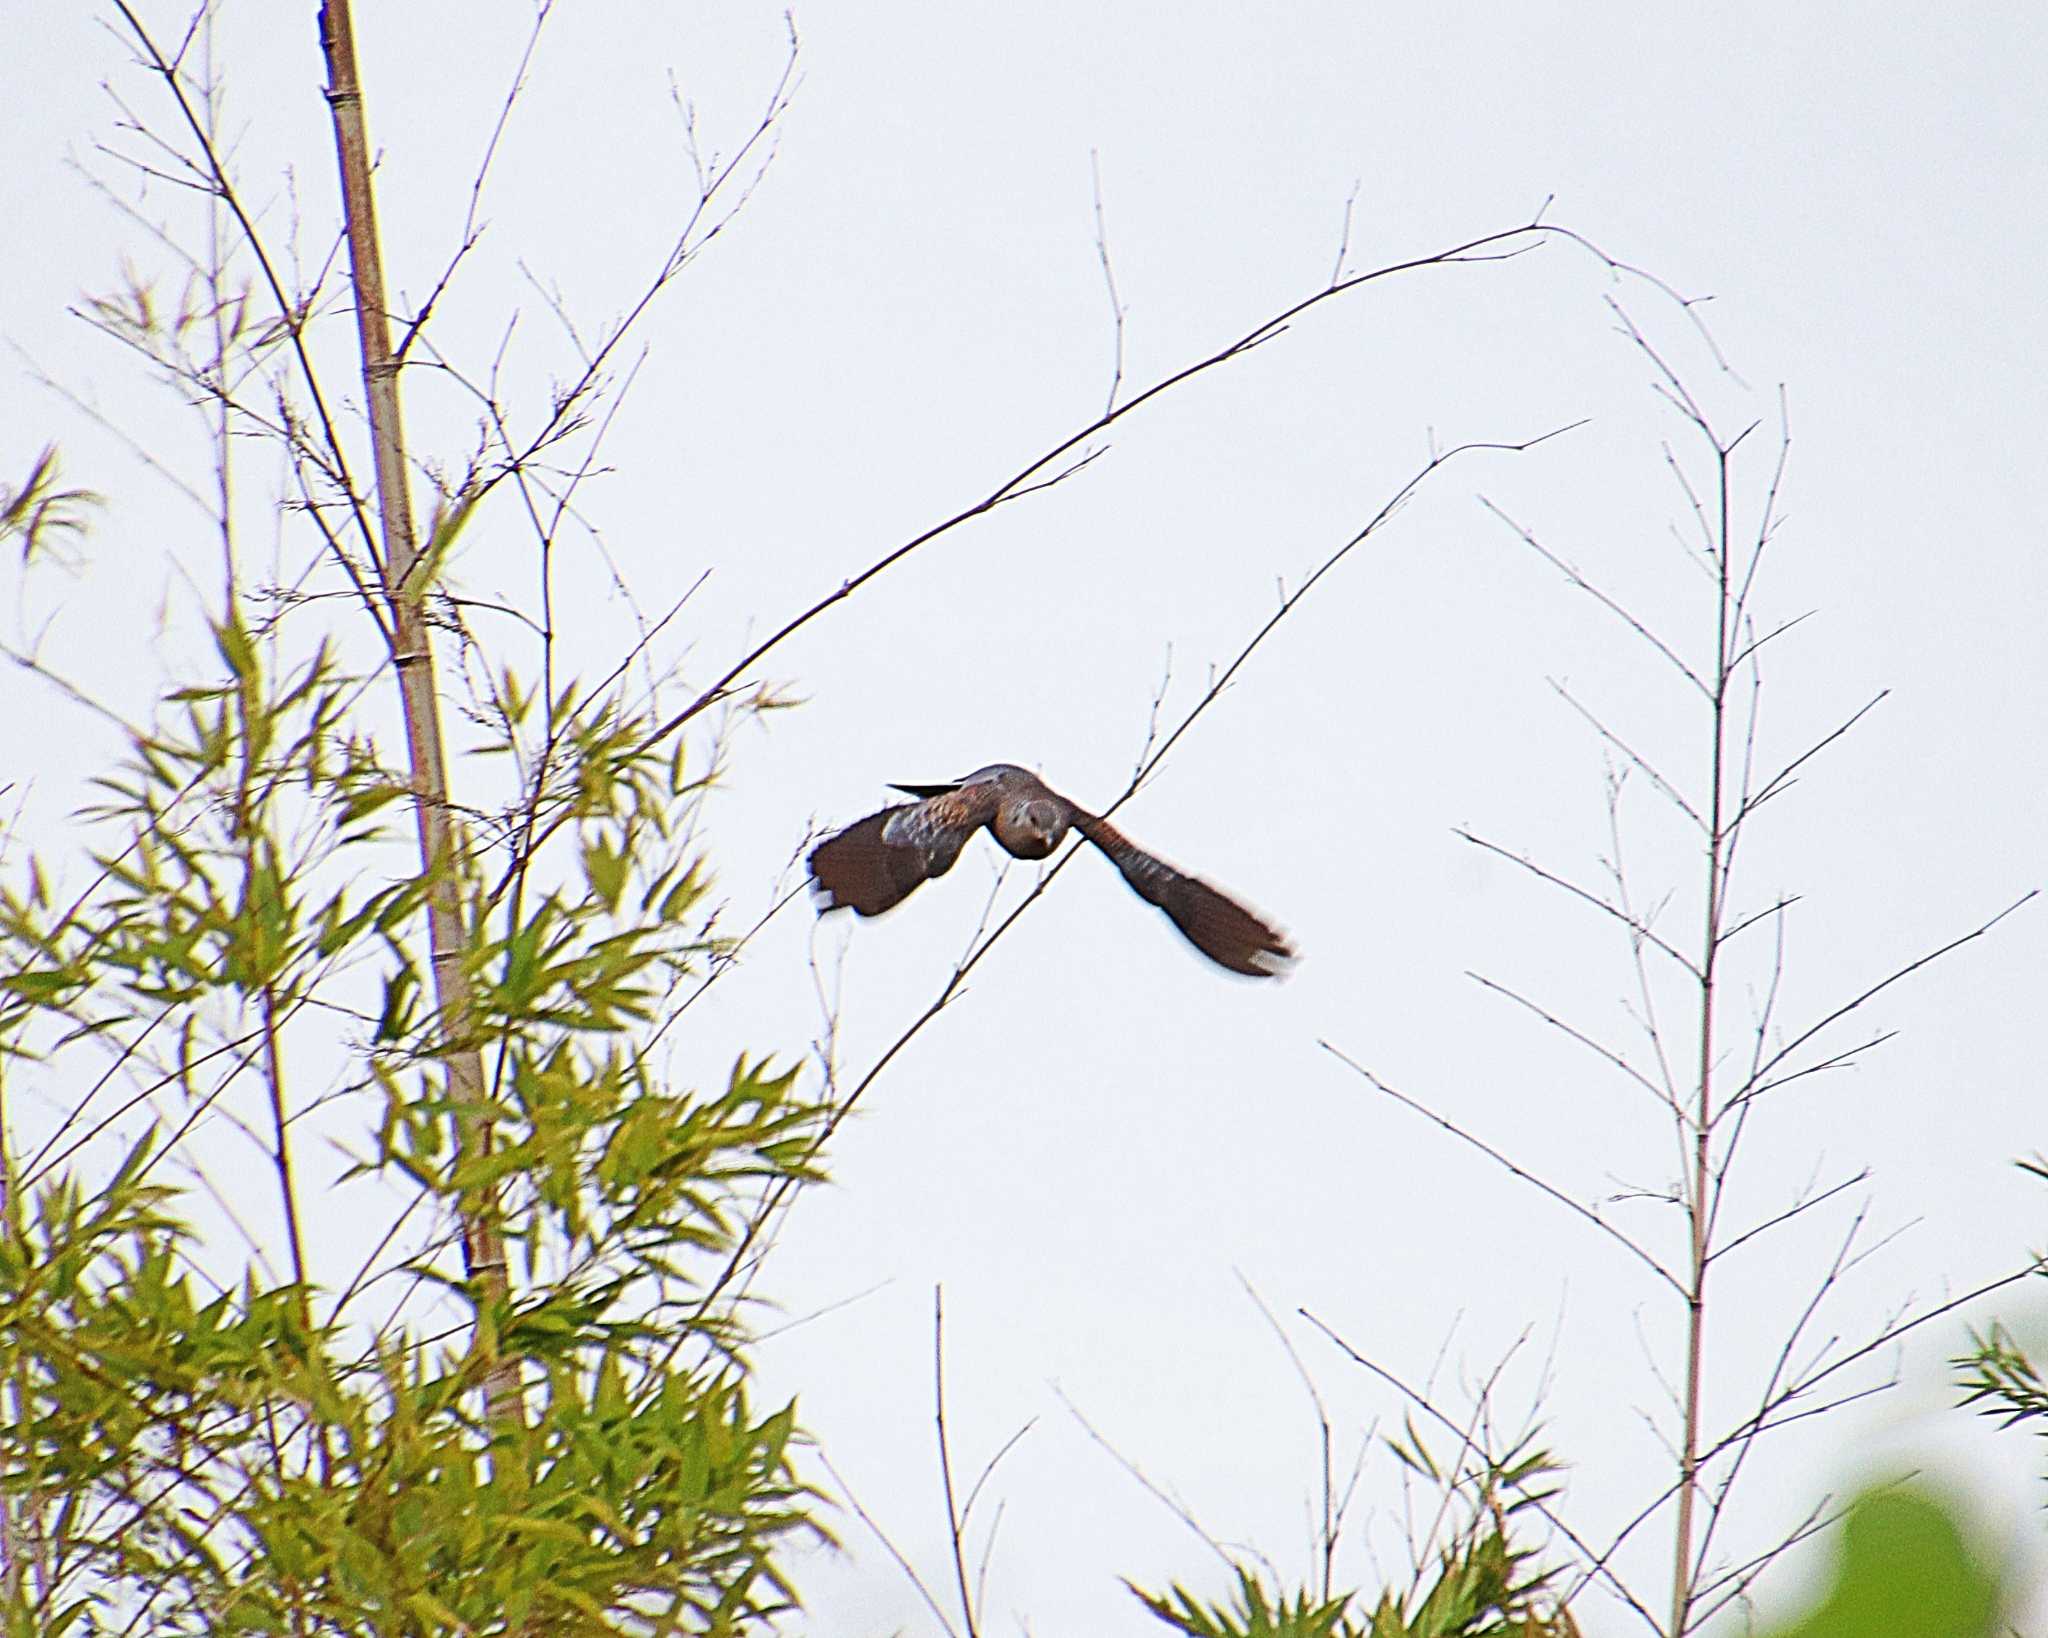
<point>196,1445</point>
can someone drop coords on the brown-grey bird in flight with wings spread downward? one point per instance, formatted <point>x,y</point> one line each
<point>878,863</point>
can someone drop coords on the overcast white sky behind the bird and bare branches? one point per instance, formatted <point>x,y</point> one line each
<point>1107,1137</point>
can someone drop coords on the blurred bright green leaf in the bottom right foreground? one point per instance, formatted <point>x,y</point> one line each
<point>1906,1569</point>
